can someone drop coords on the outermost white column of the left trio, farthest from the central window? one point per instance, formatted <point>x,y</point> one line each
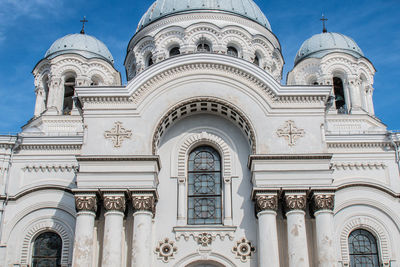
<point>86,206</point>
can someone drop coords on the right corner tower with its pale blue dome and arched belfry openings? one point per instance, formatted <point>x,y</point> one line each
<point>335,59</point>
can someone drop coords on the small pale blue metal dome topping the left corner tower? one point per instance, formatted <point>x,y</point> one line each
<point>81,44</point>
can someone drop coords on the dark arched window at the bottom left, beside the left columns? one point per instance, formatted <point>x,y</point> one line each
<point>47,250</point>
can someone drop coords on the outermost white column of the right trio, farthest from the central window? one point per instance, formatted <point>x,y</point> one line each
<point>323,211</point>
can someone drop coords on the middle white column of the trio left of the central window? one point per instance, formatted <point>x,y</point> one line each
<point>114,205</point>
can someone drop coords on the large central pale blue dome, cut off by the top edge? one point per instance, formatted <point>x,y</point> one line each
<point>163,8</point>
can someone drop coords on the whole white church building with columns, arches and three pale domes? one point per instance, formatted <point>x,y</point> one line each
<point>204,158</point>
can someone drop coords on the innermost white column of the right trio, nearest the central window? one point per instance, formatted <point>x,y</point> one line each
<point>266,207</point>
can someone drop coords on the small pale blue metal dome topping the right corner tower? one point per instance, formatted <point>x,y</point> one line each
<point>324,43</point>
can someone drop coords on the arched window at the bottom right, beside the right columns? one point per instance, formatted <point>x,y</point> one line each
<point>363,249</point>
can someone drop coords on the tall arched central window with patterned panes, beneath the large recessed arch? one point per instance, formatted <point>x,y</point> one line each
<point>204,186</point>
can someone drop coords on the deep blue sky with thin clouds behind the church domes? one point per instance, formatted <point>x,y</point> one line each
<point>29,27</point>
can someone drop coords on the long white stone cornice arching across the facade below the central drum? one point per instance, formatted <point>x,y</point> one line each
<point>160,73</point>
